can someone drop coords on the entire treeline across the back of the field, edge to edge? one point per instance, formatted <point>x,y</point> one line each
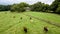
<point>38,7</point>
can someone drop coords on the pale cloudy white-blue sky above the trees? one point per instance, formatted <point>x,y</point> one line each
<point>6,2</point>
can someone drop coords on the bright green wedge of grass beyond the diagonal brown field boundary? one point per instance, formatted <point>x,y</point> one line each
<point>47,16</point>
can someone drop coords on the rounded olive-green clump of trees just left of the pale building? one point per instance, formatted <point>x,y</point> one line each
<point>19,7</point>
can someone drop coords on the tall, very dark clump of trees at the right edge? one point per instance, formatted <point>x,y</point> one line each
<point>55,6</point>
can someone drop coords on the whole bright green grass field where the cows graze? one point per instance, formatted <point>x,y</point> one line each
<point>11,25</point>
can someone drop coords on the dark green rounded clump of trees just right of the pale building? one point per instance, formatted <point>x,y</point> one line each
<point>39,7</point>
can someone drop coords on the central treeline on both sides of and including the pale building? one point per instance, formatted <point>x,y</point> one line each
<point>38,7</point>
